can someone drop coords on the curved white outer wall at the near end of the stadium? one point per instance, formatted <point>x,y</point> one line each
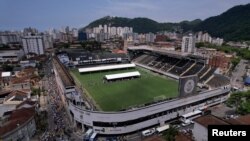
<point>122,122</point>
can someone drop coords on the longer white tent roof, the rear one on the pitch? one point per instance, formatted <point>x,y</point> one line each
<point>109,67</point>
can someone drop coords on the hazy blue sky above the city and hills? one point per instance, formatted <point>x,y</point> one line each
<point>45,14</point>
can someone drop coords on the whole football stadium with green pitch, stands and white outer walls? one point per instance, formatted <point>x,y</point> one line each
<point>148,87</point>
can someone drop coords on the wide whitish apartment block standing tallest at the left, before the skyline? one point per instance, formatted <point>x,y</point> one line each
<point>33,44</point>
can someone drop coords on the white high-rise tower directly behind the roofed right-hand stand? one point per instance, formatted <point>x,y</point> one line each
<point>188,44</point>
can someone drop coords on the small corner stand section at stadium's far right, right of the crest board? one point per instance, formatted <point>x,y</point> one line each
<point>218,81</point>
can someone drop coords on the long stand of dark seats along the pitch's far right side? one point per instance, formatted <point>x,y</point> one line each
<point>176,66</point>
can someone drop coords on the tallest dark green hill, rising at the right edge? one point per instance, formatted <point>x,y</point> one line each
<point>234,24</point>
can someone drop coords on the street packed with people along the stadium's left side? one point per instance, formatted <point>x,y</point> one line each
<point>59,126</point>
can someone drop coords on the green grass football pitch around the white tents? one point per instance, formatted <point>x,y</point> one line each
<point>114,96</point>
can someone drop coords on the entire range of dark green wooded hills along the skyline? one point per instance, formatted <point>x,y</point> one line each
<point>234,24</point>
